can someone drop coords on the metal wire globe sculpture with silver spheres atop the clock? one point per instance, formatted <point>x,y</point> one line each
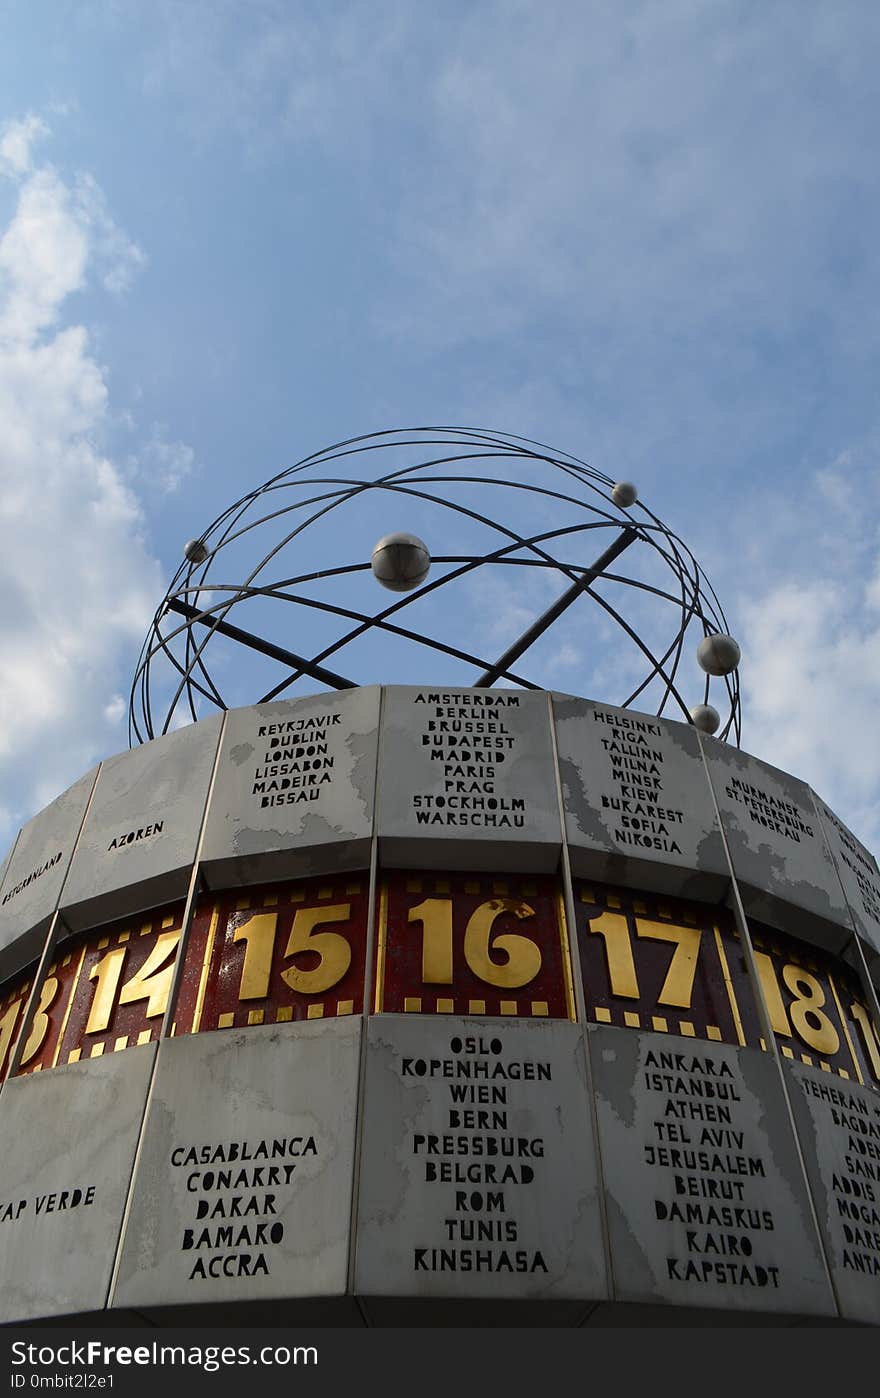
<point>537,581</point>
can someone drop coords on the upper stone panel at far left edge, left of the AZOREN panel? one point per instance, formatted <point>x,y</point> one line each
<point>36,874</point>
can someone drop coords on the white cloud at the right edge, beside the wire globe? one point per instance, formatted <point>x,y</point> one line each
<point>811,634</point>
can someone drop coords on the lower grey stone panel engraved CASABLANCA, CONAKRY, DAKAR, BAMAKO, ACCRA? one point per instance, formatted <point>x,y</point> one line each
<point>244,1182</point>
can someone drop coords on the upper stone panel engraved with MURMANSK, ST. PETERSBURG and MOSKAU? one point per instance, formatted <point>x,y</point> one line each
<point>781,860</point>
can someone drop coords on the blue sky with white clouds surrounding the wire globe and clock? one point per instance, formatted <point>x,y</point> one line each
<point>647,234</point>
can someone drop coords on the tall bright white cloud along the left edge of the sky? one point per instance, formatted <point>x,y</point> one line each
<point>78,584</point>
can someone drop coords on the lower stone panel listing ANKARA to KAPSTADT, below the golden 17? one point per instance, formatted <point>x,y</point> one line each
<point>706,1199</point>
